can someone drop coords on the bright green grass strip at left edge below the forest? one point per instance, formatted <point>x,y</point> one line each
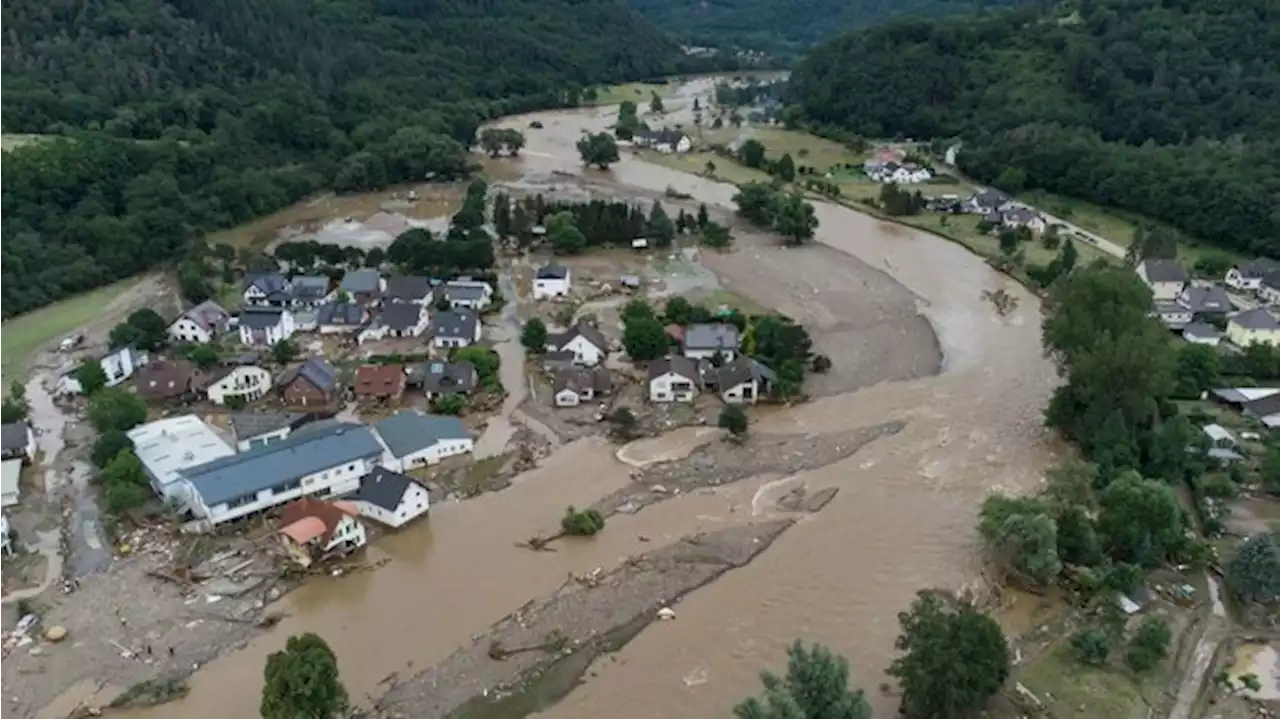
<point>21,337</point>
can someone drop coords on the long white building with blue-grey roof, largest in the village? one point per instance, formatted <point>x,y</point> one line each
<point>322,461</point>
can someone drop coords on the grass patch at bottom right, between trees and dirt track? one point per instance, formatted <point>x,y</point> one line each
<point>1087,693</point>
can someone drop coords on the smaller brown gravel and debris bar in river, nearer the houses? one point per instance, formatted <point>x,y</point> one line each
<point>721,464</point>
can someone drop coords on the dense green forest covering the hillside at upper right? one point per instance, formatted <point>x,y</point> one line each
<point>1168,108</point>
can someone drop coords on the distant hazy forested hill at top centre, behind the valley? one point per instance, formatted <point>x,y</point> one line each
<point>787,29</point>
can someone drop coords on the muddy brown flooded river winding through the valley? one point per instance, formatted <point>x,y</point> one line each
<point>903,521</point>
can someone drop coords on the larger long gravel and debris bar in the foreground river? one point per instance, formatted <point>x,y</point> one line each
<point>588,616</point>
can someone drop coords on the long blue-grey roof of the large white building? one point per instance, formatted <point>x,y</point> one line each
<point>281,462</point>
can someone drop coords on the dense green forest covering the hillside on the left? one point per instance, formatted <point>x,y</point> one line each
<point>176,118</point>
